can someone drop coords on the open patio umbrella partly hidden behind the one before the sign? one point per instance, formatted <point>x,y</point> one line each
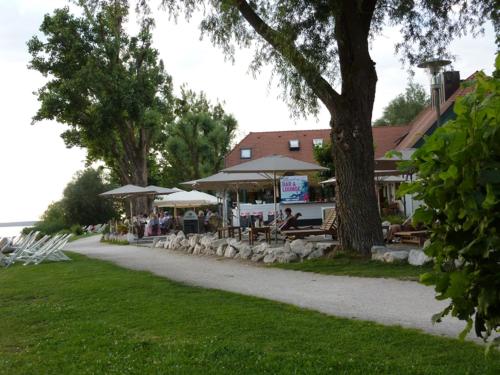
<point>222,181</point>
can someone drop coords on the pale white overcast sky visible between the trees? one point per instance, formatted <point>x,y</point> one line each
<point>35,165</point>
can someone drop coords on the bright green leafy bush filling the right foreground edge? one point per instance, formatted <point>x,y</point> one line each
<point>459,170</point>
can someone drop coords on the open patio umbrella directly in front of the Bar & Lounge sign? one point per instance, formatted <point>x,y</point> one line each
<point>272,166</point>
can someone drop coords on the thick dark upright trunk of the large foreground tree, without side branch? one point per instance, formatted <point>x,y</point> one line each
<point>352,139</point>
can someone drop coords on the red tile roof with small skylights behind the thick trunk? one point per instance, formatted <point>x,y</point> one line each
<point>276,142</point>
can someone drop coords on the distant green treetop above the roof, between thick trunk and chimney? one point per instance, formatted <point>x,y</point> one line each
<point>404,107</point>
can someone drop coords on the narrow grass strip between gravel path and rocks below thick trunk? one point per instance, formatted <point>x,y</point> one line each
<point>350,265</point>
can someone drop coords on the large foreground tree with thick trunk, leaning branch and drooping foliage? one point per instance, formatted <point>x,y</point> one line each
<point>320,50</point>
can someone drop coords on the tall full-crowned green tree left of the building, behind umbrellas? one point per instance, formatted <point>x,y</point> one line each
<point>111,89</point>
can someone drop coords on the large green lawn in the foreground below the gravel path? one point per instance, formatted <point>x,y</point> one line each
<point>91,317</point>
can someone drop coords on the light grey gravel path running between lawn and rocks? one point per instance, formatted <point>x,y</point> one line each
<point>386,301</point>
